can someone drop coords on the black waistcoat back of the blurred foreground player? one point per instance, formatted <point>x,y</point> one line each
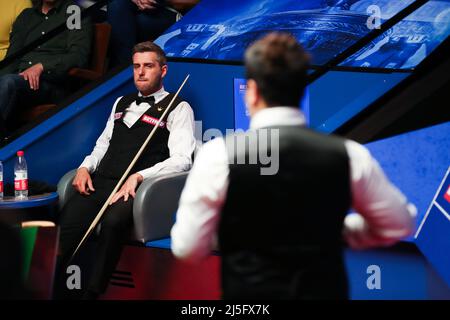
<point>280,235</point>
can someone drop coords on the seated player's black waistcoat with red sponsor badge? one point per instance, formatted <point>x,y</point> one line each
<point>125,142</point>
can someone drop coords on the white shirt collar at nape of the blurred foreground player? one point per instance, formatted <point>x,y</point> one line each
<point>275,116</point>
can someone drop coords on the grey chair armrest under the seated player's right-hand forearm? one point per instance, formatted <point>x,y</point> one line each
<point>155,206</point>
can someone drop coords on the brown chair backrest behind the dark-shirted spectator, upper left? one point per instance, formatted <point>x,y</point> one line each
<point>101,43</point>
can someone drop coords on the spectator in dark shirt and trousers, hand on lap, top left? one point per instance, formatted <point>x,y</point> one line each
<point>38,76</point>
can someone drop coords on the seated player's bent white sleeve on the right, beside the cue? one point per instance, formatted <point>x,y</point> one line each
<point>181,144</point>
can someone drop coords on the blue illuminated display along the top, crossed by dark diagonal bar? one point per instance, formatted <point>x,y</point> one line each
<point>222,29</point>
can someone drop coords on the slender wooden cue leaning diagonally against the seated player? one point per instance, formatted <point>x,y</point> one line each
<point>136,157</point>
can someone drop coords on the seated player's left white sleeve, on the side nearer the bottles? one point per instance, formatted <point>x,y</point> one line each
<point>92,161</point>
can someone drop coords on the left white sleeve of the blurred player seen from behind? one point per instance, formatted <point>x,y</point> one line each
<point>194,233</point>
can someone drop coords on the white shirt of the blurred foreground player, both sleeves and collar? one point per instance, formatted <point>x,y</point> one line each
<point>383,214</point>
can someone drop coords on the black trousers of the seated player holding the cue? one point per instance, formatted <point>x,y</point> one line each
<point>116,224</point>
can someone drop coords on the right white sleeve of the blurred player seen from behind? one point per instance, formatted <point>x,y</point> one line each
<point>383,214</point>
